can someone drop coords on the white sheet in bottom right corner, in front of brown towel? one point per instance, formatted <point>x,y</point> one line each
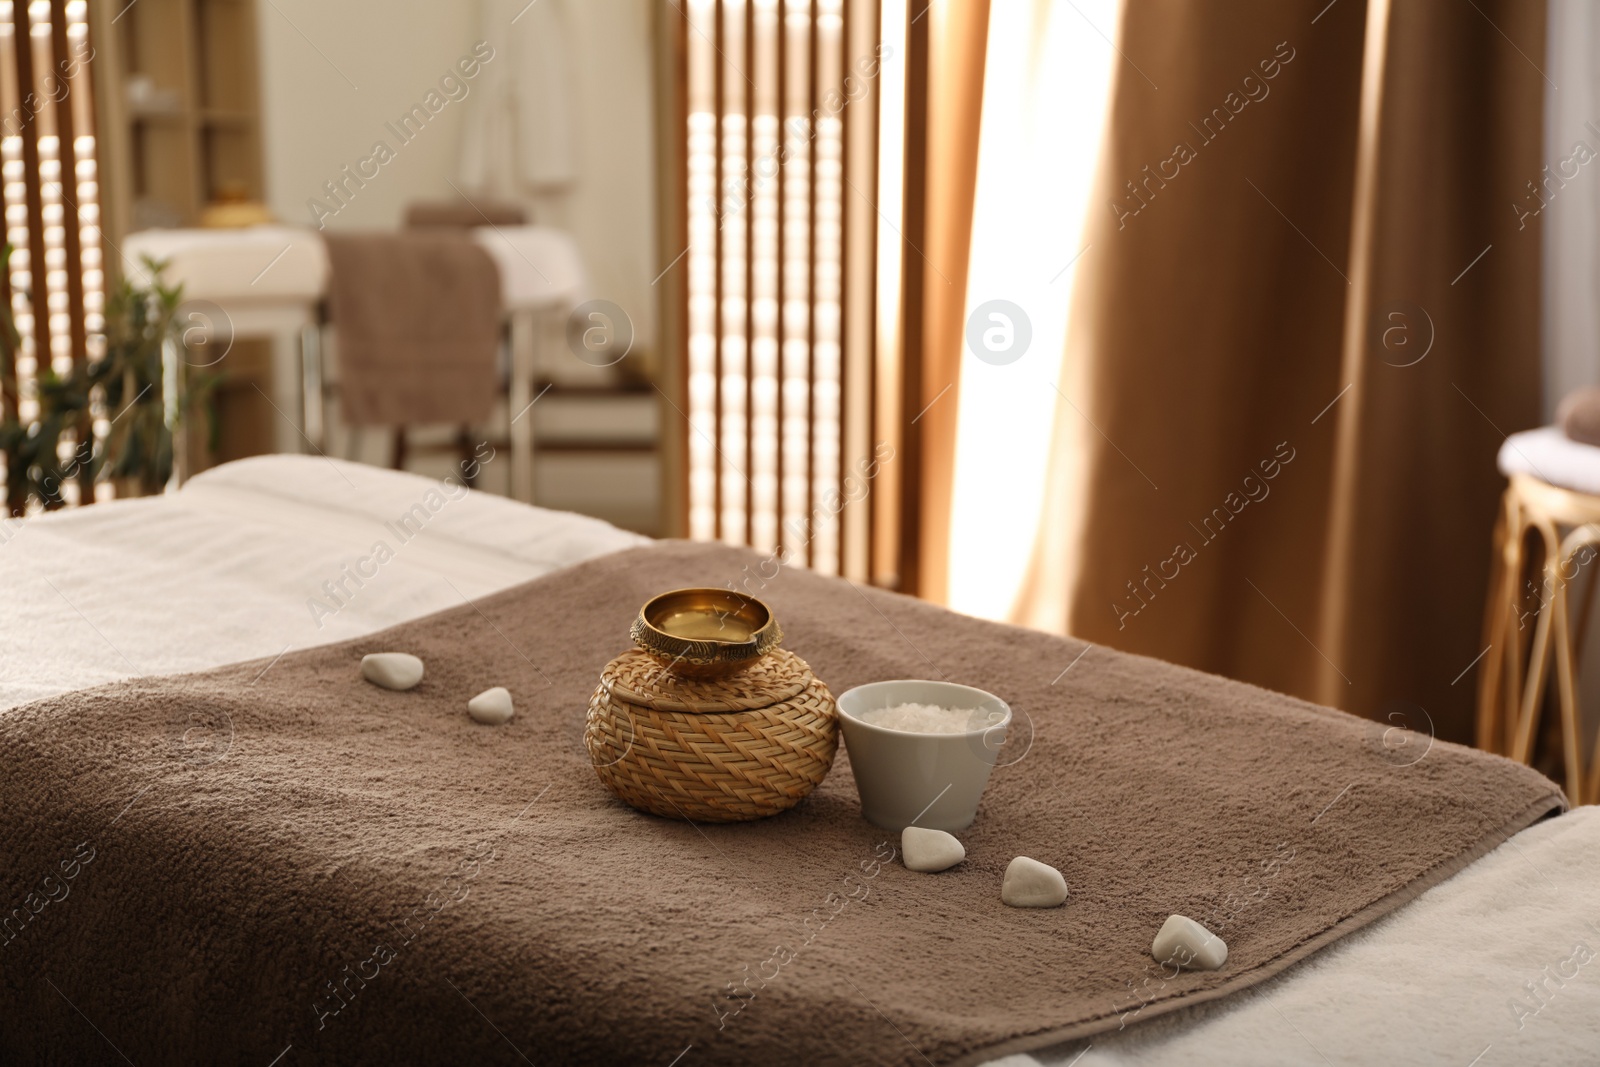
<point>1441,981</point>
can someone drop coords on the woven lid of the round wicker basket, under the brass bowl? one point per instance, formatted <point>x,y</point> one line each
<point>636,677</point>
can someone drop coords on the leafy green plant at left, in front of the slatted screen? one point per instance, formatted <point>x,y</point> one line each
<point>129,378</point>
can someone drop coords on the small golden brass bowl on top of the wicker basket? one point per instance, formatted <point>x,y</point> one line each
<point>705,633</point>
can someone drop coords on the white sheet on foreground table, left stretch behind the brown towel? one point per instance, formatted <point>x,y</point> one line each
<point>230,569</point>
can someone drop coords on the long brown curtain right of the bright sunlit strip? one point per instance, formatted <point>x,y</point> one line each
<point>1308,322</point>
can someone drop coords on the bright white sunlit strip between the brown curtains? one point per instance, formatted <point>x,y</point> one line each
<point>1046,94</point>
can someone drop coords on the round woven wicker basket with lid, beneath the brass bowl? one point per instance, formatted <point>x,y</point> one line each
<point>722,749</point>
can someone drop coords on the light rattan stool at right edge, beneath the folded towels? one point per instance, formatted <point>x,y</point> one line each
<point>1513,684</point>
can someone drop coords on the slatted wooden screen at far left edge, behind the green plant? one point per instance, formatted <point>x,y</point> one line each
<point>55,286</point>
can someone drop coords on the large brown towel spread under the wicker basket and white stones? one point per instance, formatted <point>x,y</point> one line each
<point>279,853</point>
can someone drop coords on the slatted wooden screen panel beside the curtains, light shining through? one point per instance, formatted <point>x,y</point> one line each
<point>782,367</point>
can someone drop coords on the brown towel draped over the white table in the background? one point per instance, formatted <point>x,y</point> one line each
<point>418,326</point>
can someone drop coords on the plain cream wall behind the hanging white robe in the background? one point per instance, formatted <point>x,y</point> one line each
<point>334,74</point>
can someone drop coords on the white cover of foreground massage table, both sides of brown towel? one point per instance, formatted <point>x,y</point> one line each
<point>1476,972</point>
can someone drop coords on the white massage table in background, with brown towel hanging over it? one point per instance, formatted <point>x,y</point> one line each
<point>270,282</point>
